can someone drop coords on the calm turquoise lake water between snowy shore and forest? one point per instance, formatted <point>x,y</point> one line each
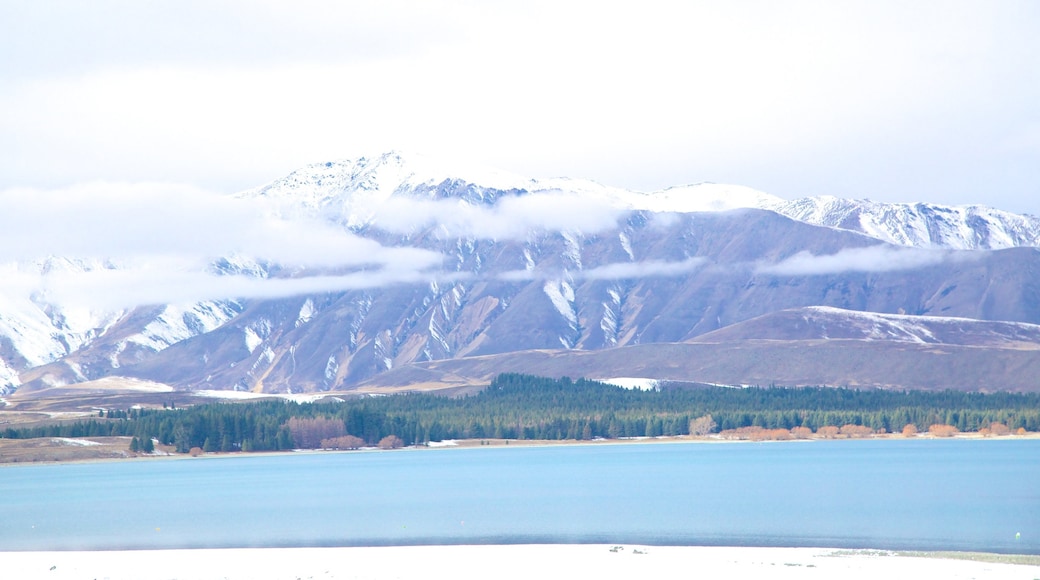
<point>914,495</point>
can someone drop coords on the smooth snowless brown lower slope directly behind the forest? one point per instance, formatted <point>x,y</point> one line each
<point>840,363</point>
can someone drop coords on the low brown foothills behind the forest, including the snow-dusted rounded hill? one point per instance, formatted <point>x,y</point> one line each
<point>809,347</point>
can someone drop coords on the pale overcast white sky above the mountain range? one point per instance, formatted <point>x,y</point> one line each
<point>893,101</point>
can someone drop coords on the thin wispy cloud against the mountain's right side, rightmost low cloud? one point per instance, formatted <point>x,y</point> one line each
<point>880,258</point>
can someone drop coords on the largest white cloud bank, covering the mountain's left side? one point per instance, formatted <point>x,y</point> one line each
<point>119,246</point>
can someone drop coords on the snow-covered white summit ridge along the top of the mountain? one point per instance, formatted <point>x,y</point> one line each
<point>351,193</point>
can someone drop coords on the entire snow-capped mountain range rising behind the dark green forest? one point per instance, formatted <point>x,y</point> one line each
<point>615,272</point>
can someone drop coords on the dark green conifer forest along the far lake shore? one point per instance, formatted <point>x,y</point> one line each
<point>524,407</point>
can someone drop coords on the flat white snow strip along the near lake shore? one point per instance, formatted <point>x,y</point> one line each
<point>461,563</point>
